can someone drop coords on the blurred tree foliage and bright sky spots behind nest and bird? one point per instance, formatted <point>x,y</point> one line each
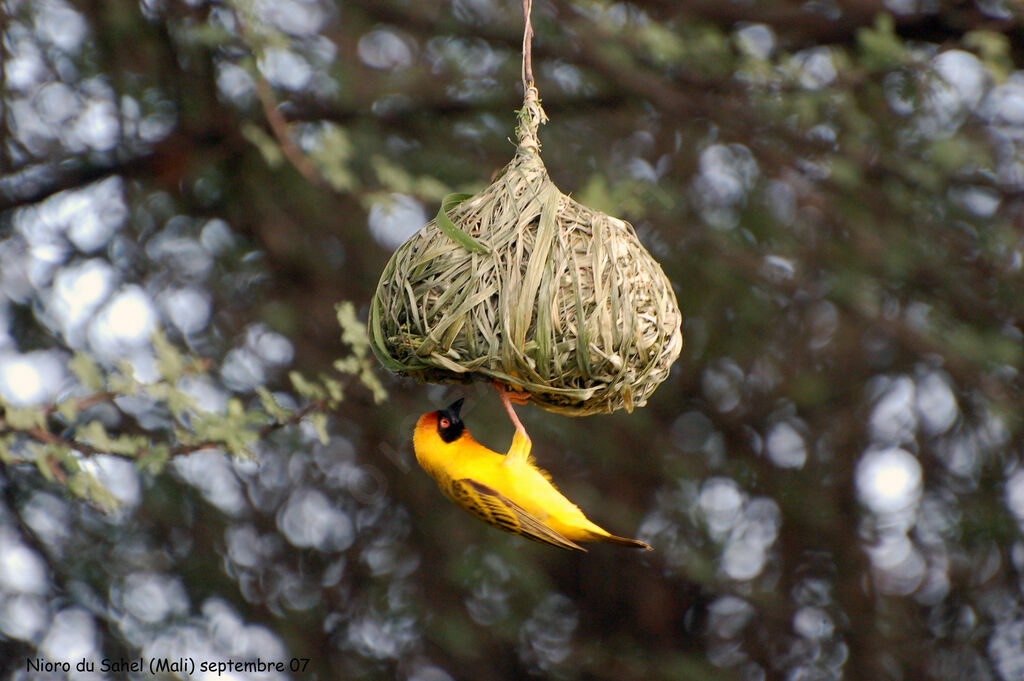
<point>832,477</point>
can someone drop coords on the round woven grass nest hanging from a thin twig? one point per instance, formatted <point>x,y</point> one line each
<point>524,285</point>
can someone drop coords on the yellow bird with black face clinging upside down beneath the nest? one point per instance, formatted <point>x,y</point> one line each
<point>506,491</point>
